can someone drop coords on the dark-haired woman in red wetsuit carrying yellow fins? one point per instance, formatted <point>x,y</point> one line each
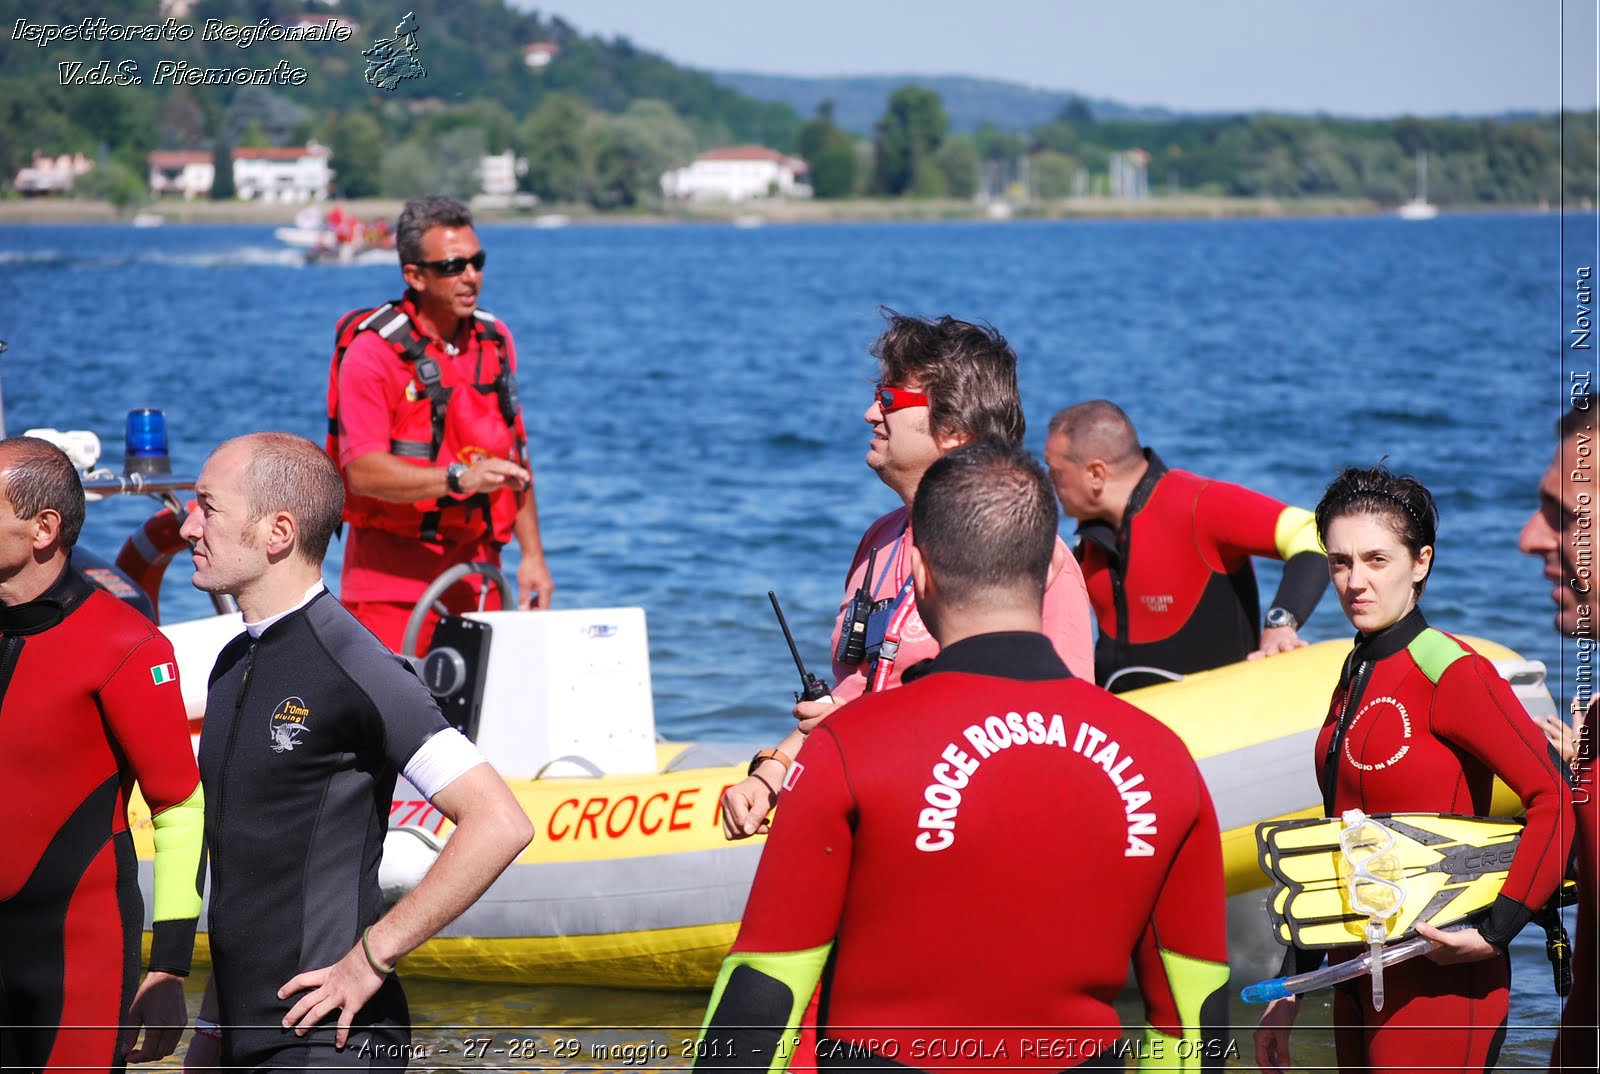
<point>1422,724</point>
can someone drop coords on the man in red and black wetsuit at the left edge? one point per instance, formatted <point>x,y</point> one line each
<point>89,703</point>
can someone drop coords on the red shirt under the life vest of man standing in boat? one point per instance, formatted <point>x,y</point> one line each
<point>385,566</point>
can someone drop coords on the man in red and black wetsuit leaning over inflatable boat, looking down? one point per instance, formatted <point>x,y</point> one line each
<point>1167,555</point>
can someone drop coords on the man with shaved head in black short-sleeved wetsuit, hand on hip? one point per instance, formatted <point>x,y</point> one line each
<point>310,723</point>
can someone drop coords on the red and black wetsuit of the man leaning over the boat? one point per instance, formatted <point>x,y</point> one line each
<point>1174,588</point>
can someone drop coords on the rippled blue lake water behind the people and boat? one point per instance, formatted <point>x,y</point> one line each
<point>695,398</point>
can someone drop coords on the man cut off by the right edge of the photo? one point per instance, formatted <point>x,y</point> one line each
<point>1562,532</point>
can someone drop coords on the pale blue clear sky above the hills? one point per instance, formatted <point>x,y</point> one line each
<point>1345,57</point>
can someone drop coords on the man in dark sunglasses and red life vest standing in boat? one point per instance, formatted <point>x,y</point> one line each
<point>425,425</point>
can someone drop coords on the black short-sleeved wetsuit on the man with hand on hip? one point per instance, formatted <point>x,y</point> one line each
<point>306,731</point>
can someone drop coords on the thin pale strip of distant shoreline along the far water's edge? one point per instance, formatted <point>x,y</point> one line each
<point>793,212</point>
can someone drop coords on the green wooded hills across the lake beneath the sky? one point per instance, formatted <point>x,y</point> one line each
<point>606,119</point>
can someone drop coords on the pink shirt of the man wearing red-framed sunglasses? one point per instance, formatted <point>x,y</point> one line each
<point>1066,607</point>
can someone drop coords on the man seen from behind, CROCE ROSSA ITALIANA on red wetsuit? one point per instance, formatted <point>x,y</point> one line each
<point>950,931</point>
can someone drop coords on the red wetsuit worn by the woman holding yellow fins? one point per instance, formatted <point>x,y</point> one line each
<point>1423,724</point>
